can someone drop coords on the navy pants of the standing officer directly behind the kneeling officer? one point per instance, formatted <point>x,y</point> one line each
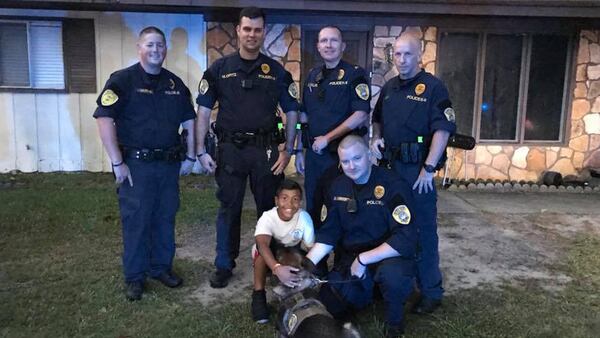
<point>320,171</point>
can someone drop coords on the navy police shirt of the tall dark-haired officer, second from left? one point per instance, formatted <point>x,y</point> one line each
<point>248,93</point>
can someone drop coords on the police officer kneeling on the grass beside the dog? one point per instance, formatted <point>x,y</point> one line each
<point>370,221</point>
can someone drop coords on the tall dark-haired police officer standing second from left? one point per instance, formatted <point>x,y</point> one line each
<point>248,86</point>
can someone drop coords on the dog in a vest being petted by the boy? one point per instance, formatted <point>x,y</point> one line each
<point>301,314</point>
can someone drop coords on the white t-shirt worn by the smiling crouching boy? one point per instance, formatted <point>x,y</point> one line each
<point>290,233</point>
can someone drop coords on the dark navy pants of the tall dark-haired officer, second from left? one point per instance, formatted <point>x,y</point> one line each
<point>234,165</point>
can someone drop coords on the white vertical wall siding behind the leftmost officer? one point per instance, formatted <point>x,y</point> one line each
<point>51,132</point>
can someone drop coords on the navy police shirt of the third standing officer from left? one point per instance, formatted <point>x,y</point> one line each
<point>330,96</point>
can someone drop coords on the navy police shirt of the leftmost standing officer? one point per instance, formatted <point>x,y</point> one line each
<point>147,110</point>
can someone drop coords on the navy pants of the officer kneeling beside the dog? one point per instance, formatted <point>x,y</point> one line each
<point>394,276</point>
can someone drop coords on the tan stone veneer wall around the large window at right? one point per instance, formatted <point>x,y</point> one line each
<point>516,162</point>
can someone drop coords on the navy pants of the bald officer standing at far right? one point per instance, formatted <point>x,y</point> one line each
<point>429,276</point>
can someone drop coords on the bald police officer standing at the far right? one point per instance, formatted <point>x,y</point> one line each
<point>414,116</point>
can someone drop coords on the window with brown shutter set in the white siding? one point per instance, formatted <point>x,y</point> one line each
<point>47,55</point>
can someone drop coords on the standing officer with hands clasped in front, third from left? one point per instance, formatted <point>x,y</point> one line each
<point>336,102</point>
